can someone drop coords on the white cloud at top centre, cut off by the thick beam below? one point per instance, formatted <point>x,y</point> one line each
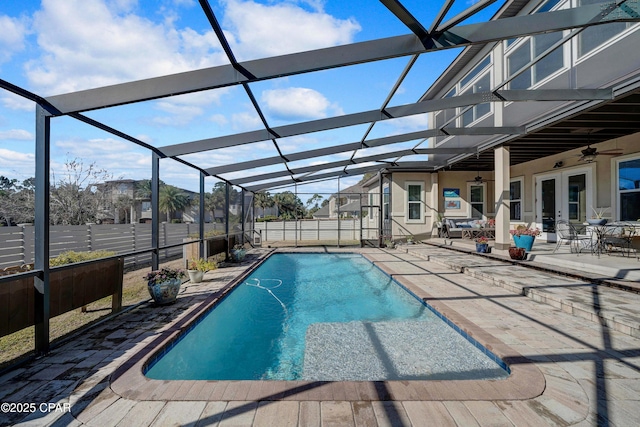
<point>259,30</point>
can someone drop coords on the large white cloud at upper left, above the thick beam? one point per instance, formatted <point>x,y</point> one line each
<point>88,43</point>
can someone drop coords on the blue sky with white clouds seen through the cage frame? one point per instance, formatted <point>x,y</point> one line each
<point>51,47</point>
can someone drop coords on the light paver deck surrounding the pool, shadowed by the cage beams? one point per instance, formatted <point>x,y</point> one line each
<point>567,370</point>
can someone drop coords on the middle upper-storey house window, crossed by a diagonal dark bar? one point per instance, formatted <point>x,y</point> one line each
<point>529,50</point>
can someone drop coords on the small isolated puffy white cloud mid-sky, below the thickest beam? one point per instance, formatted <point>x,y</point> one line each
<point>296,103</point>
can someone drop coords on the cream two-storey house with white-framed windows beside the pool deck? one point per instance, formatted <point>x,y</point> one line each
<point>542,188</point>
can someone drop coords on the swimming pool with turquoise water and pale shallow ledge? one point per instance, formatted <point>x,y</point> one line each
<point>322,317</point>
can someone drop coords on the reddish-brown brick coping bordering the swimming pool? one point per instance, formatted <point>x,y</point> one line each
<point>525,382</point>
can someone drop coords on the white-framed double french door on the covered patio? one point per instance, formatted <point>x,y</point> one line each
<point>562,196</point>
